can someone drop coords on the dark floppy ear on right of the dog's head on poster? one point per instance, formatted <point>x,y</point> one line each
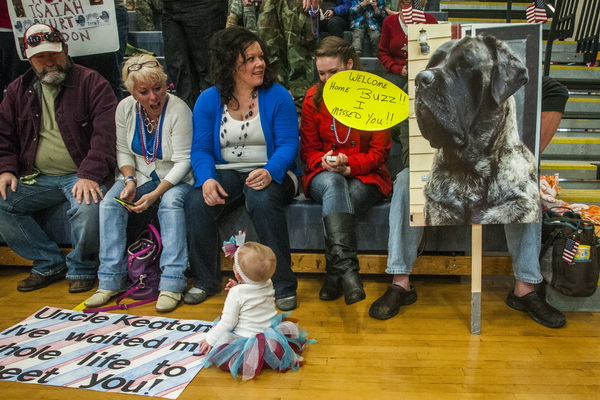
<point>508,73</point>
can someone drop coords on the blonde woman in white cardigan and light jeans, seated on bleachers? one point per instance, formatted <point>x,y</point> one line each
<point>154,135</point>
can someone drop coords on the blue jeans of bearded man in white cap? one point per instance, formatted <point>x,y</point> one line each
<point>25,237</point>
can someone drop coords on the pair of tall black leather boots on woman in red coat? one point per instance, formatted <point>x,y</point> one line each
<point>342,260</point>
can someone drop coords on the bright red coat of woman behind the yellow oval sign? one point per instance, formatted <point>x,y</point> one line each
<point>367,151</point>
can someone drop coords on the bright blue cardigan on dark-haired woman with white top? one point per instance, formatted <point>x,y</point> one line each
<point>279,123</point>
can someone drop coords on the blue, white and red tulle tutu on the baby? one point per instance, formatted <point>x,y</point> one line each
<point>278,348</point>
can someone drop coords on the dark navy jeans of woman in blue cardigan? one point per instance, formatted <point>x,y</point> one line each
<point>266,209</point>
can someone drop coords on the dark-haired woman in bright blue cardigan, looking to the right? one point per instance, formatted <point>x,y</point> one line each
<point>243,150</point>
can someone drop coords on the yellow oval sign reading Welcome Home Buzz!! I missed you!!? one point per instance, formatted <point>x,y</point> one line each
<point>365,101</point>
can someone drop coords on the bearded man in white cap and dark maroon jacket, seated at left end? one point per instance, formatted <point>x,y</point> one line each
<point>57,143</point>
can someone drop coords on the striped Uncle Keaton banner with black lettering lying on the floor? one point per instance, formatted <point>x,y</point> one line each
<point>149,356</point>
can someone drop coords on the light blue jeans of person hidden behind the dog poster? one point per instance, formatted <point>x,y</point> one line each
<point>523,240</point>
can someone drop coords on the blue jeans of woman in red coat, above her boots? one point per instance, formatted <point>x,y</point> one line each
<point>338,194</point>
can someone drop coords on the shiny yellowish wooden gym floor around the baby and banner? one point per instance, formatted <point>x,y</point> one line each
<point>426,352</point>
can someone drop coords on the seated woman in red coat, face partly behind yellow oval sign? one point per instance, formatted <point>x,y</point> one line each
<point>345,172</point>
